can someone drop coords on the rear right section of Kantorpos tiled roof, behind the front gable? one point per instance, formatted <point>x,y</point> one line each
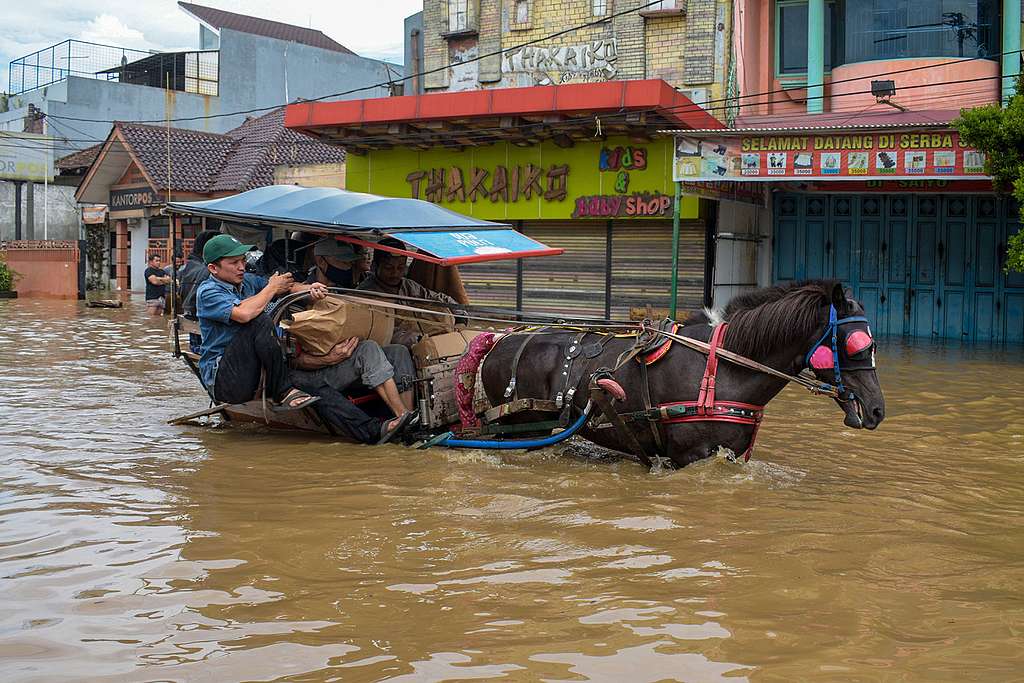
<point>263,144</point>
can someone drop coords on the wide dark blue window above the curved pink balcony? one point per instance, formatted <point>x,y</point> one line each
<point>895,29</point>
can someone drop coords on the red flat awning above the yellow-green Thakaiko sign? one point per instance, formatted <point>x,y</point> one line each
<point>522,116</point>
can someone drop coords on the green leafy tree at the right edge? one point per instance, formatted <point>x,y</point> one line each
<point>1000,134</point>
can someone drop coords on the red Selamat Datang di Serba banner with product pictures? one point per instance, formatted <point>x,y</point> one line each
<point>844,156</point>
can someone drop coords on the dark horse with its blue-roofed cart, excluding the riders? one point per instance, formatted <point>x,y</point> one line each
<point>504,379</point>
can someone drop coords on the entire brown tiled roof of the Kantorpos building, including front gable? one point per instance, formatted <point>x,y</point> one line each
<point>236,161</point>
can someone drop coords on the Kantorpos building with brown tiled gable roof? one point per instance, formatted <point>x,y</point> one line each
<point>142,167</point>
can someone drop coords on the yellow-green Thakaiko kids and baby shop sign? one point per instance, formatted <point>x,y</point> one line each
<point>614,179</point>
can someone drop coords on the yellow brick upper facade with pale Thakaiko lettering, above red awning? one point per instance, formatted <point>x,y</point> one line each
<point>481,45</point>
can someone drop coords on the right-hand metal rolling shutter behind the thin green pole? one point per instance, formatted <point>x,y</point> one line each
<point>642,266</point>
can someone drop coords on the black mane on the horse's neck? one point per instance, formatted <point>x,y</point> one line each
<point>765,320</point>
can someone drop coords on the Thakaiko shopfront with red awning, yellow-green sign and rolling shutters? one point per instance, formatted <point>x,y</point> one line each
<point>577,167</point>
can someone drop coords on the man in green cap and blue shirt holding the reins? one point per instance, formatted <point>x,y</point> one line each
<point>239,340</point>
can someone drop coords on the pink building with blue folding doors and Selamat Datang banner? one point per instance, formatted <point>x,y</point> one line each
<point>846,120</point>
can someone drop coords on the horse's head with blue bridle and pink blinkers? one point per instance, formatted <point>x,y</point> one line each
<point>842,354</point>
